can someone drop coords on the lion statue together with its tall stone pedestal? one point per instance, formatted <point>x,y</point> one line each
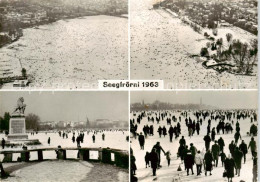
<point>17,127</point>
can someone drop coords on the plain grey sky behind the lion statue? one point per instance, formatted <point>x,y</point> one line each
<point>69,106</point>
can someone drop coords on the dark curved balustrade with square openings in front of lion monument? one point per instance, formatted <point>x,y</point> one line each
<point>116,157</point>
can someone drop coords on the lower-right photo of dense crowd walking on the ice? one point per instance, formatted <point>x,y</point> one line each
<point>194,136</point>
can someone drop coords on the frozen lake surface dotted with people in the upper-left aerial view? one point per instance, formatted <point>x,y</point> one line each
<point>71,53</point>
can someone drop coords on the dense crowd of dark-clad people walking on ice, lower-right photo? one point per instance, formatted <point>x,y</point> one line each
<point>231,155</point>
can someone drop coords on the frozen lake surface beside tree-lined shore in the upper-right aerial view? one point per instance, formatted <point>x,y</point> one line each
<point>161,46</point>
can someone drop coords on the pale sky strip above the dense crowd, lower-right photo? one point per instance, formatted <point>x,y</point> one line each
<point>220,99</point>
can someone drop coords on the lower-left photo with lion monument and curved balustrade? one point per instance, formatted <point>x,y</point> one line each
<point>64,136</point>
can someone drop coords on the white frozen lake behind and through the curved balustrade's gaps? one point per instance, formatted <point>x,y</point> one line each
<point>113,139</point>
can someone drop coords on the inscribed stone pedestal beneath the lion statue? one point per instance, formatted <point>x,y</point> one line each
<point>17,129</point>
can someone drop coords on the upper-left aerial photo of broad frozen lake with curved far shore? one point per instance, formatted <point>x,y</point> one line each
<point>64,44</point>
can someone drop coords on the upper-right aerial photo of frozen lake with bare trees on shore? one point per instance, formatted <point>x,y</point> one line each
<point>195,44</point>
